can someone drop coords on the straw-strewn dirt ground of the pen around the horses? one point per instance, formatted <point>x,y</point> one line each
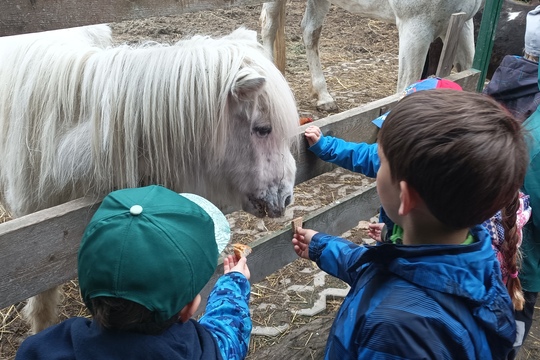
<point>360,61</point>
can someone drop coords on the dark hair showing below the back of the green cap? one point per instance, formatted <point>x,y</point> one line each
<point>121,314</point>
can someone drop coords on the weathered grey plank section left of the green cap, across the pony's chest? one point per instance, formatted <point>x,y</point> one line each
<point>39,251</point>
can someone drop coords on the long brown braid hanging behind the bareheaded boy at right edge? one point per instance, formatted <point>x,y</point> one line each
<point>510,252</point>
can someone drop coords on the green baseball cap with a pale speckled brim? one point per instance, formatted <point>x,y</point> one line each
<point>152,246</point>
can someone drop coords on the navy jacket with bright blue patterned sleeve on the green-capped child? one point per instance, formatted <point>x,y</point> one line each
<point>222,333</point>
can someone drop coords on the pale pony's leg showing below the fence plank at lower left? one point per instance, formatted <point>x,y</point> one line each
<point>41,311</point>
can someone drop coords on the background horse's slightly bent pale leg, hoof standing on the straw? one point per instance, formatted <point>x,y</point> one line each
<point>312,22</point>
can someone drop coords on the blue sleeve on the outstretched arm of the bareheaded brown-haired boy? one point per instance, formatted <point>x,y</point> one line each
<point>335,255</point>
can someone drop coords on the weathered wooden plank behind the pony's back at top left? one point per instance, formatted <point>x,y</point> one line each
<point>24,16</point>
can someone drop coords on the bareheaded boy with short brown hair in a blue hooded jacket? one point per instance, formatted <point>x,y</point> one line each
<point>449,160</point>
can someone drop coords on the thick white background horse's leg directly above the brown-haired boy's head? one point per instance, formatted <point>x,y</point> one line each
<point>414,41</point>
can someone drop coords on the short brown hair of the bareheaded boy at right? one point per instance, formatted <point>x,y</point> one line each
<point>462,152</point>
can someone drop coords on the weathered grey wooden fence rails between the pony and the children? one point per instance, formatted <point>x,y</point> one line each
<point>39,251</point>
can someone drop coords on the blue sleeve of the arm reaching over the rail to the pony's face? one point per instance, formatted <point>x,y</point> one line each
<point>358,157</point>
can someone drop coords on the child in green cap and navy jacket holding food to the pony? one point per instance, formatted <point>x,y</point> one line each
<point>144,258</point>
